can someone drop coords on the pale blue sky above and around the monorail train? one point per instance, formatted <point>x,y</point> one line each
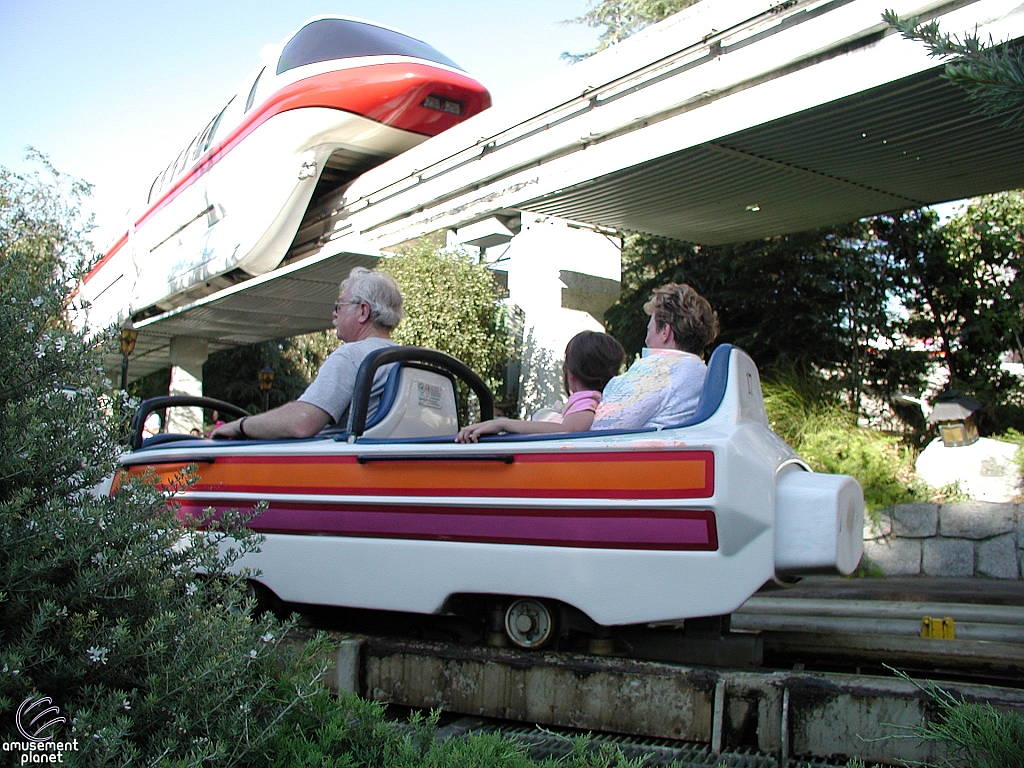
<point>110,90</point>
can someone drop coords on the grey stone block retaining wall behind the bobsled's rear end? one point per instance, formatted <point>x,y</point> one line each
<point>962,539</point>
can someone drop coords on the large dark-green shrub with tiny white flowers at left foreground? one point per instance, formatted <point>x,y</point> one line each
<point>109,607</point>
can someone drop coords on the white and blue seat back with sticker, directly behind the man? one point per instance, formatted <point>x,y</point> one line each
<point>418,402</point>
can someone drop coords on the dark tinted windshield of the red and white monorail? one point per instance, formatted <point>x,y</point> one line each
<point>328,39</point>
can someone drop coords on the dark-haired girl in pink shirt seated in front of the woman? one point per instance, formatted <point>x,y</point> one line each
<point>591,361</point>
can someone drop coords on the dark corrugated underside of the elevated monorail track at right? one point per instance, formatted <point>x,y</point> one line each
<point>913,143</point>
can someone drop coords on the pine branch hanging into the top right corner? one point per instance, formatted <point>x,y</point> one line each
<point>993,74</point>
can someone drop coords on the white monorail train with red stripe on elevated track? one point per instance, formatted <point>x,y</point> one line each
<point>337,98</point>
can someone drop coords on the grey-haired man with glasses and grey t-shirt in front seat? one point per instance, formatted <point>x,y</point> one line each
<point>368,311</point>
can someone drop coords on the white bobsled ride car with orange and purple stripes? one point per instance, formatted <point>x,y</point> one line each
<point>591,530</point>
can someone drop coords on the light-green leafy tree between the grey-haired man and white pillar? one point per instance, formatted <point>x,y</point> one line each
<point>453,305</point>
